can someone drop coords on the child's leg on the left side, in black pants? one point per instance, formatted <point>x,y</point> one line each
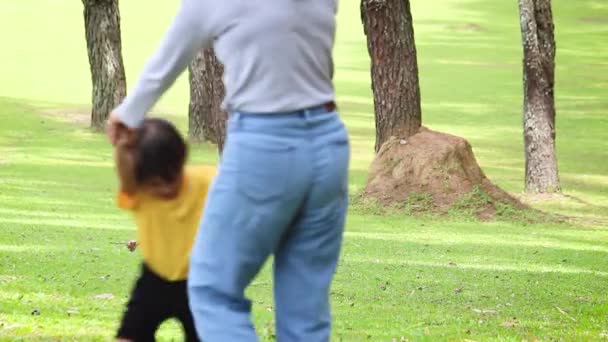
<point>146,309</point>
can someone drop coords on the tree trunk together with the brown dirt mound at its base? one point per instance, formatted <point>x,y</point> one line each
<point>423,169</point>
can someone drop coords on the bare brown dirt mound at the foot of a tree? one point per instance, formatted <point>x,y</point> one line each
<point>437,165</point>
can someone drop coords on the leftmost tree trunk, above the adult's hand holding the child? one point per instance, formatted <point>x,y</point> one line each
<point>102,27</point>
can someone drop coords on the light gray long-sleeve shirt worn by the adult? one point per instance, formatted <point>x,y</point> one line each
<point>277,54</point>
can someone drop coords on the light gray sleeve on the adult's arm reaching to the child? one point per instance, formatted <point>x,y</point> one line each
<point>188,33</point>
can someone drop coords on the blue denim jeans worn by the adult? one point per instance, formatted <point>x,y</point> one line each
<point>282,189</point>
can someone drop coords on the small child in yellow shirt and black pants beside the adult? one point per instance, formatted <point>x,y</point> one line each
<point>166,200</point>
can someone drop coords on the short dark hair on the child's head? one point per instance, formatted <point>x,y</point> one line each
<point>160,151</point>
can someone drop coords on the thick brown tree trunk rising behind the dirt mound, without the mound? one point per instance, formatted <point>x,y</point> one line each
<point>390,42</point>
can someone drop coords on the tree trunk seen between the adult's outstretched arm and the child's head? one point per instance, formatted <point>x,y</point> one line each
<point>207,121</point>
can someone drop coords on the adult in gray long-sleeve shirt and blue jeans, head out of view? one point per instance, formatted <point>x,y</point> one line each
<point>281,187</point>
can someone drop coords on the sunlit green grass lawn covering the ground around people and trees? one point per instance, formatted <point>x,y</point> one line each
<point>416,278</point>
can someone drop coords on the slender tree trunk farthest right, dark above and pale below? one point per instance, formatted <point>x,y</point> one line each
<point>539,106</point>
